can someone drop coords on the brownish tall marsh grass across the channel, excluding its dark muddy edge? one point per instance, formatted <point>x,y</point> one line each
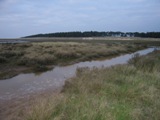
<point>60,52</point>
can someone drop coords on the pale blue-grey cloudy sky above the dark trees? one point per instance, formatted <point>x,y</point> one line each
<point>20,18</point>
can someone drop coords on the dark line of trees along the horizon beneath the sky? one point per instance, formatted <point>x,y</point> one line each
<point>99,34</point>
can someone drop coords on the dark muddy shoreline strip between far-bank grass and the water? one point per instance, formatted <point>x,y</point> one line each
<point>16,70</point>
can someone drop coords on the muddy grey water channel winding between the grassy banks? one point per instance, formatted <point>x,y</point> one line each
<point>26,84</point>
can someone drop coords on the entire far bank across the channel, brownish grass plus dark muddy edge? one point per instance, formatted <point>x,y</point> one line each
<point>40,56</point>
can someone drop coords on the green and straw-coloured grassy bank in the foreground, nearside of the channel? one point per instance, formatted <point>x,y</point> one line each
<point>123,92</point>
